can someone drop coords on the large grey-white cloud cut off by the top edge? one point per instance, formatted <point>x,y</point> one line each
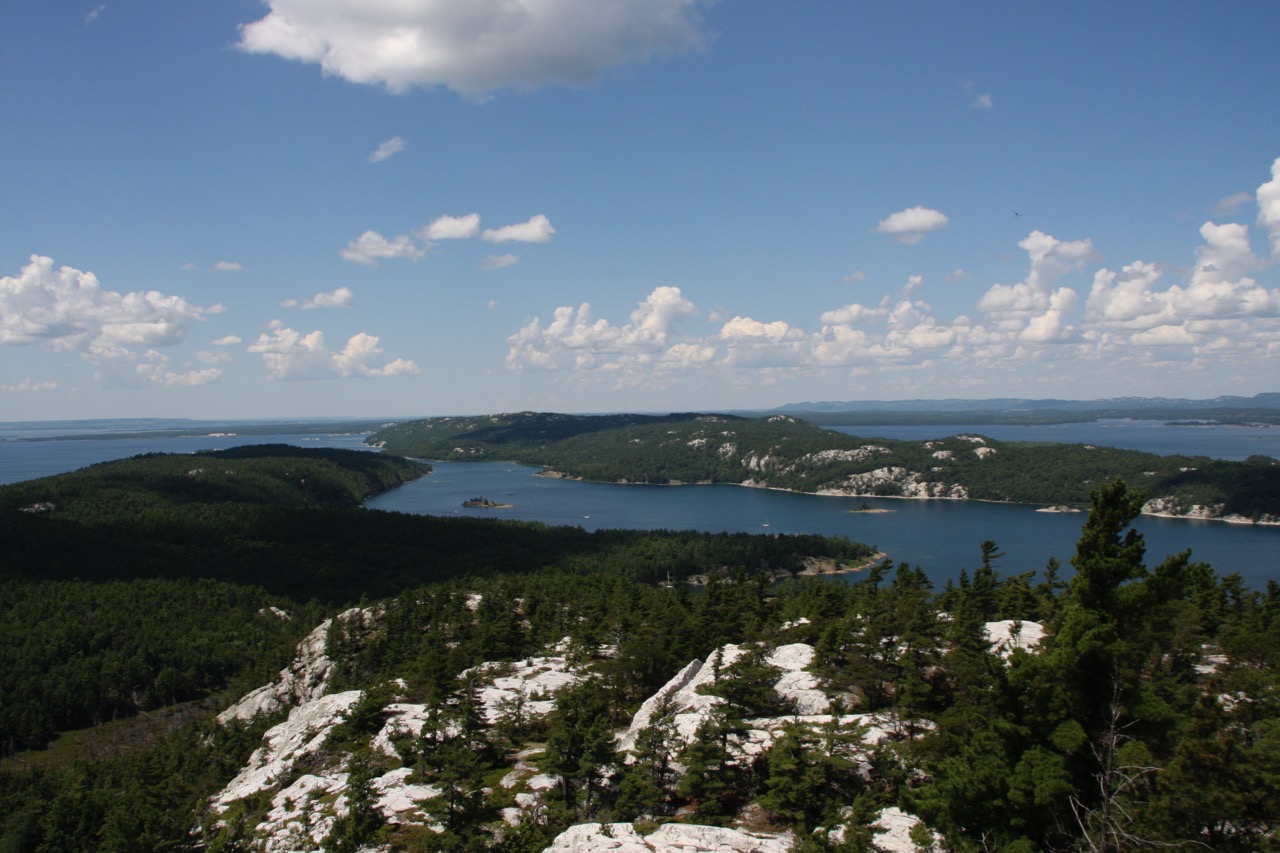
<point>474,47</point>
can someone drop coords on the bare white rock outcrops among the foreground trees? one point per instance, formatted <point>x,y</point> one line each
<point>308,782</point>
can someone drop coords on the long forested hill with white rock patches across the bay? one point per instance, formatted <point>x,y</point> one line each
<point>781,451</point>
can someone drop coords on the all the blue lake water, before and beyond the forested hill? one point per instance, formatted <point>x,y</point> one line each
<point>943,537</point>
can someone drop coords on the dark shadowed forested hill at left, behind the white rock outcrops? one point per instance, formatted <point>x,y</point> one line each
<point>134,585</point>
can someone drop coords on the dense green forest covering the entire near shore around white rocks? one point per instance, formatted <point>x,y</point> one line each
<point>1148,717</point>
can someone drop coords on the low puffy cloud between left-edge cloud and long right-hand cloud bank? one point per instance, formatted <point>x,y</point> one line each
<point>292,355</point>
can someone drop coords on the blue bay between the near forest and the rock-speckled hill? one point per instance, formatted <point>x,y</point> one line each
<point>941,537</point>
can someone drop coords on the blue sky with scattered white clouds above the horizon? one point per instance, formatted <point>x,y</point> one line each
<point>417,208</point>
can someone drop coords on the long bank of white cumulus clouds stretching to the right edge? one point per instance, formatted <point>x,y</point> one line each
<point>1140,321</point>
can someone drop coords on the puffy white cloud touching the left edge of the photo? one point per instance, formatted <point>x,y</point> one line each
<point>68,309</point>
